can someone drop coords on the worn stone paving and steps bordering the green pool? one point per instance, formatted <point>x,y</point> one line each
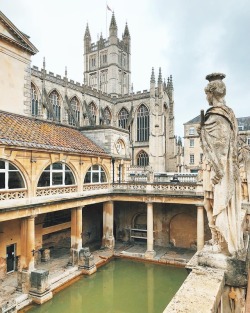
<point>60,274</point>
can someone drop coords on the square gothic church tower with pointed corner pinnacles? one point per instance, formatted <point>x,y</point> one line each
<point>107,62</point>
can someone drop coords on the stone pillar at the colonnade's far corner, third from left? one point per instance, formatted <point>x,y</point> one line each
<point>108,239</point>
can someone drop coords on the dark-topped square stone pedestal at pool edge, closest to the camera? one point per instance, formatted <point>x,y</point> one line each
<point>39,286</point>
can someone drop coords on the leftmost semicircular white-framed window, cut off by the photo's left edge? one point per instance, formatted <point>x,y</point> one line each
<point>10,176</point>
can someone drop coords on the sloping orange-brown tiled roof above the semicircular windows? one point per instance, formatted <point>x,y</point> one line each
<point>21,131</point>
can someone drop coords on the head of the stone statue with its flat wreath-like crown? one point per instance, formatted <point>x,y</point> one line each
<point>216,89</point>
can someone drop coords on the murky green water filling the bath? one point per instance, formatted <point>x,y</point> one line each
<point>121,286</point>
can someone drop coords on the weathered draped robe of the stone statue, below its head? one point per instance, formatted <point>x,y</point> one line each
<point>219,143</point>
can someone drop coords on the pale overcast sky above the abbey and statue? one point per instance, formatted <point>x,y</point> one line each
<point>186,38</point>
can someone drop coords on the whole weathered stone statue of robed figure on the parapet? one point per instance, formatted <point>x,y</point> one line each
<point>221,180</point>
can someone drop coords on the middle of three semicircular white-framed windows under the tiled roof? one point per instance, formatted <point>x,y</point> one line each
<point>56,174</point>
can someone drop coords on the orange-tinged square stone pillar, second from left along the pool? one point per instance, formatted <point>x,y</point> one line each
<point>76,228</point>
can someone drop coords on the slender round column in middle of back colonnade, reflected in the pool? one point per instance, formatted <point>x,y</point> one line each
<point>150,253</point>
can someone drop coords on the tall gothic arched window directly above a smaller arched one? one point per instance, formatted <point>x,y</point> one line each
<point>142,123</point>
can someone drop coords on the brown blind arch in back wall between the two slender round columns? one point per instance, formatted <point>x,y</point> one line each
<point>183,230</point>
